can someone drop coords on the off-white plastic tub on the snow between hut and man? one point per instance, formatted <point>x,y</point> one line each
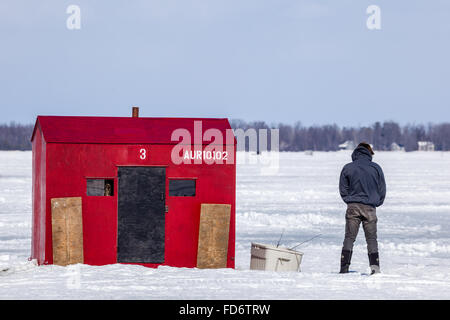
<point>271,258</point>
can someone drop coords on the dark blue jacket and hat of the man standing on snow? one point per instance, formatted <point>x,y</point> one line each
<point>362,180</point>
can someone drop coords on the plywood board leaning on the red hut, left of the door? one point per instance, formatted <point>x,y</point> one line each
<point>67,231</point>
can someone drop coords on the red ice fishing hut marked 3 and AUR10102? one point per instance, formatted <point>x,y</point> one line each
<point>141,182</point>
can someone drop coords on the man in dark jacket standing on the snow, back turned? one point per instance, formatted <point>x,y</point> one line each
<point>363,188</point>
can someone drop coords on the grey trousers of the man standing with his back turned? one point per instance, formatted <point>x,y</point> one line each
<point>357,213</point>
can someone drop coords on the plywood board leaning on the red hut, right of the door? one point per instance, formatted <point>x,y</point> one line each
<point>213,235</point>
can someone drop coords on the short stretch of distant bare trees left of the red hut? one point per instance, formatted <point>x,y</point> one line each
<point>15,136</point>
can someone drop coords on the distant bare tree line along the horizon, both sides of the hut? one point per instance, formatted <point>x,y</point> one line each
<point>297,137</point>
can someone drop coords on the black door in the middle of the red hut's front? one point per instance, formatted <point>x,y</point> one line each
<point>141,214</point>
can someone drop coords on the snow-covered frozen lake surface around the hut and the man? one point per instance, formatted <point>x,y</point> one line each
<point>302,199</point>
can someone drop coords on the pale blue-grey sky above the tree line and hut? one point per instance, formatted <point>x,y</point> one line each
<point>273,60</point>
